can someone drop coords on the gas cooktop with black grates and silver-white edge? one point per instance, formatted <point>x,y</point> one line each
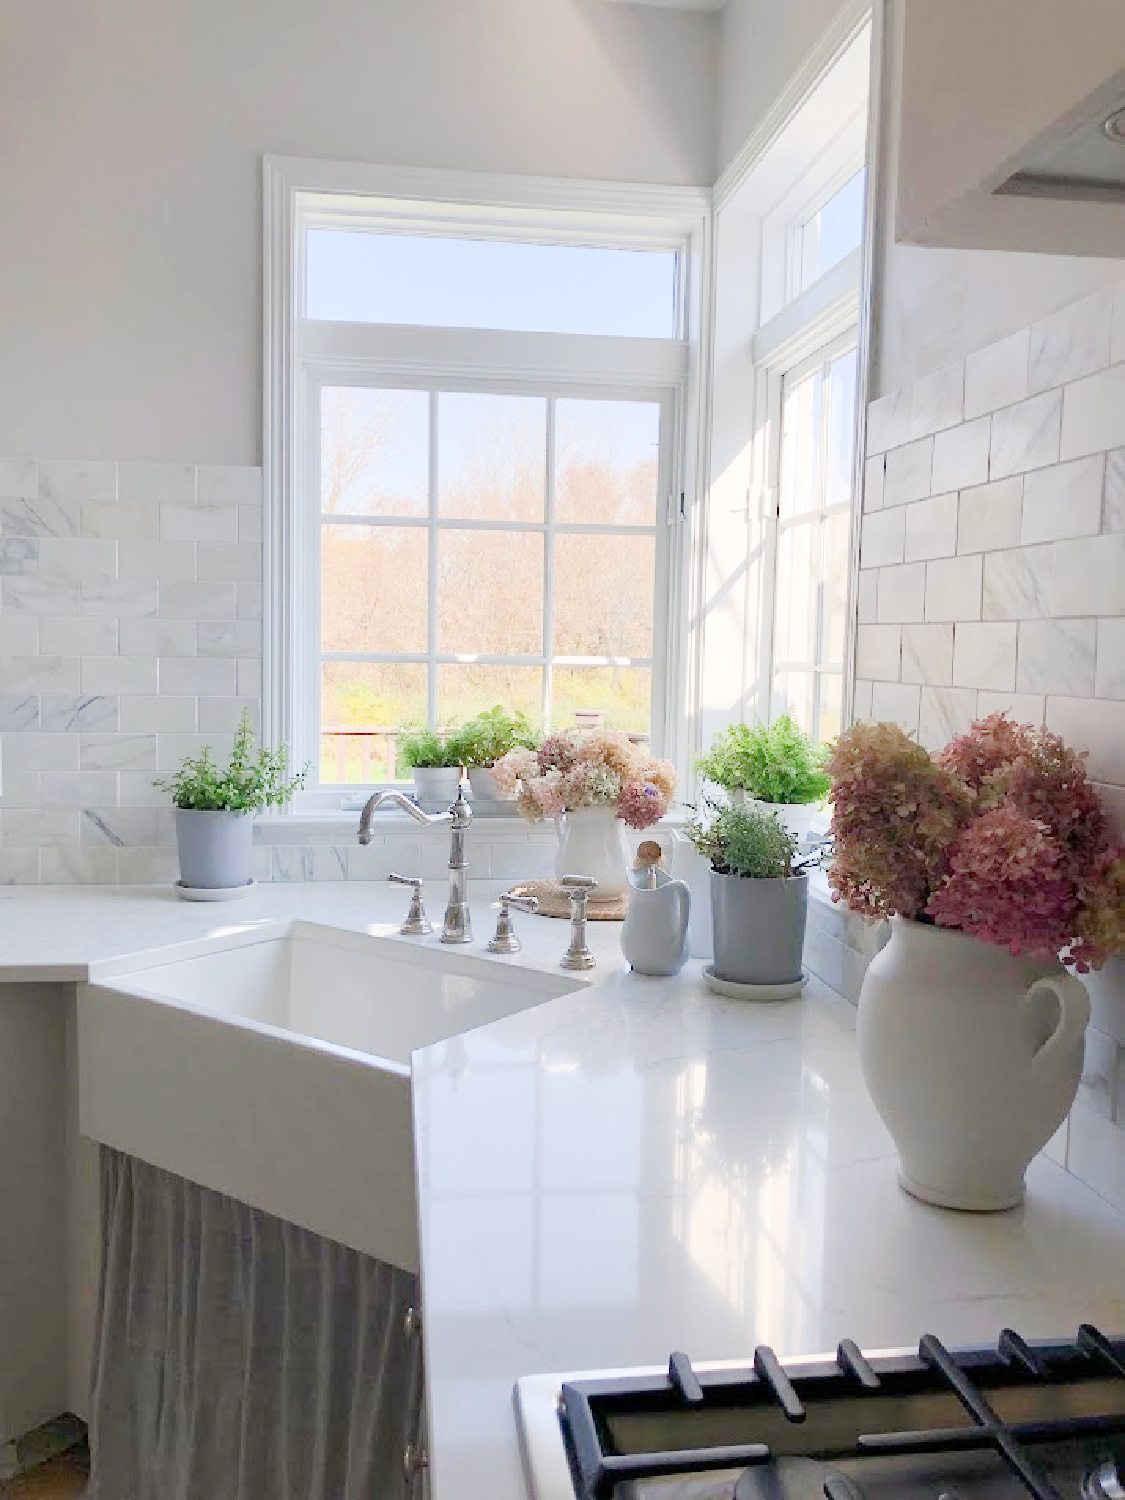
<point>1022,1418</point>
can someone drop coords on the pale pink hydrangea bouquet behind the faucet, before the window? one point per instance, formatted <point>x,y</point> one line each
<point>578,769</point>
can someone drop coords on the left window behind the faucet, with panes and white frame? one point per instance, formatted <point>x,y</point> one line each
<point>479,442</point>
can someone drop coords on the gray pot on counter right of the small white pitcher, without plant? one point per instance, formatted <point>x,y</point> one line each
<point>758,928</point>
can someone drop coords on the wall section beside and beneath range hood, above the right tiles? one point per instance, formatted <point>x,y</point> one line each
<point>937,305</point>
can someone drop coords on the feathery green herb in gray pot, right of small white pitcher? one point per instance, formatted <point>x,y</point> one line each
<point>758,904</point>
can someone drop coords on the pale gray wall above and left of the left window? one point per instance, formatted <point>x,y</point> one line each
<point>130,257</point>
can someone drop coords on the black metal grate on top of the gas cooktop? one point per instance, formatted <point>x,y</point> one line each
<point>1004,1399</point>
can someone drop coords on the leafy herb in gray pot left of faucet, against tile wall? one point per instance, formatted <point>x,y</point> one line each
<point>215,809</point>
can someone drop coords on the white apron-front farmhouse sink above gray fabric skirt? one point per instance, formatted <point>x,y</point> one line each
<point>277,1069</point>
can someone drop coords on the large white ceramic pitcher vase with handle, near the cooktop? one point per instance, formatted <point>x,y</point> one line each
<point>973,1060</point>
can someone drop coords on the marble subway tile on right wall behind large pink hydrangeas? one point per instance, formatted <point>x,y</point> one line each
<point>1022,605</point>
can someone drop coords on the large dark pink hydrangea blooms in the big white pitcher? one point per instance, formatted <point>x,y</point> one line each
<point>1001,836</point>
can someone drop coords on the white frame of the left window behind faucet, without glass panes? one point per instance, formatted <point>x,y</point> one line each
<point>302,355</point>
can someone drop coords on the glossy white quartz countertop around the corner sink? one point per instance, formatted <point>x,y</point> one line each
<point>640,1168</point>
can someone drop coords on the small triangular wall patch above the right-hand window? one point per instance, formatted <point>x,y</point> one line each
<point>763,46</point>
